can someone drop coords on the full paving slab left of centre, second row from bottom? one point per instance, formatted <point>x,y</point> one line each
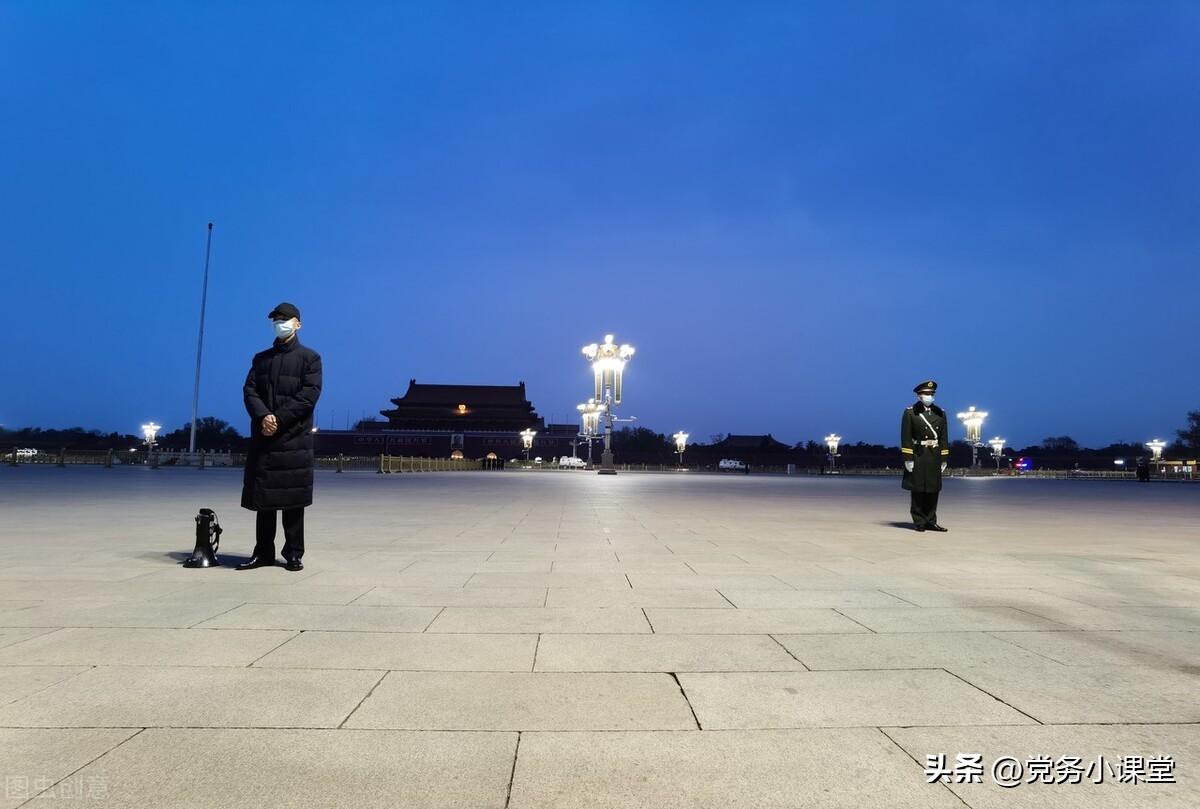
<point>525,702</point>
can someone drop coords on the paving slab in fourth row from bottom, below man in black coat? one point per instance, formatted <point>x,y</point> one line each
<point>322,616</point>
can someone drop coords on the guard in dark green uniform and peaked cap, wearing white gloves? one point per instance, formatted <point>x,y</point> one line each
<point>926,450</point>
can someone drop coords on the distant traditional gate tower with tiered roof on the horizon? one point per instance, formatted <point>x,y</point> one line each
<point>472,422</point>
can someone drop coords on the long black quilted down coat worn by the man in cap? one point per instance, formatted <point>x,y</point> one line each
<point>286,381</point>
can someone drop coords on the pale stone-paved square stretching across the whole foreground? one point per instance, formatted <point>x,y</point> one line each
<point>547,640</point>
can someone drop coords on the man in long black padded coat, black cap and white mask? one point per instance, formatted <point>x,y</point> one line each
<point>281,393</point>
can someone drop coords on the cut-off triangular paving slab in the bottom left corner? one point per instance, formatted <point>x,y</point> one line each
<point>33,759</point>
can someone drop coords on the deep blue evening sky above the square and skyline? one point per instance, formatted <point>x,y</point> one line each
<point>795,212</point>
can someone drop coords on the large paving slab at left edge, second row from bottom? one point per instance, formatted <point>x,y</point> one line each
<point>119,697</point>
